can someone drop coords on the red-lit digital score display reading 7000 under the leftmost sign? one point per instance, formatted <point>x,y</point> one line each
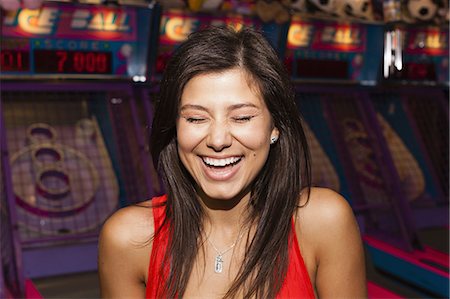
<point>72,62</point>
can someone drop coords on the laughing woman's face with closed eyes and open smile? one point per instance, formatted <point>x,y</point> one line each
<point>223,132</point>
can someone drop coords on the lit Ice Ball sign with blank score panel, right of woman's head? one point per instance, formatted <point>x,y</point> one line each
<point>325,50</point>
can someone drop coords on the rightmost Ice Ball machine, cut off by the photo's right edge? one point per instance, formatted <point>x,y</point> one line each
<point>412,113</point>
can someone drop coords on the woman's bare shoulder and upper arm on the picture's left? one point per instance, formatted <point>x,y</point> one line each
<point>124,251</point>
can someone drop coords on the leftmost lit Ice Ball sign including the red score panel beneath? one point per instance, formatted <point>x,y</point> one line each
<point>75,40</point>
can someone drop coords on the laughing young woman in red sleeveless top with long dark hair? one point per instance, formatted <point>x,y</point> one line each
<point>239,219</point>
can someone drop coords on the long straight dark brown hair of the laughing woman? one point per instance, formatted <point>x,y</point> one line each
<point>276,190</point>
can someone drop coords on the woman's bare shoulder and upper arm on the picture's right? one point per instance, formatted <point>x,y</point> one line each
<point>331,244</point>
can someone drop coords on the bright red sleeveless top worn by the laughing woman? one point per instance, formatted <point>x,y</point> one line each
<point>297,283</point>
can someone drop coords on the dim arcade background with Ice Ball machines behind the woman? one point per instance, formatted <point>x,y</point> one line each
<point>78,80</point>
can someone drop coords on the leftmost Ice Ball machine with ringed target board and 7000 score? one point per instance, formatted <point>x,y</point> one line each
<point>70,150</point>
